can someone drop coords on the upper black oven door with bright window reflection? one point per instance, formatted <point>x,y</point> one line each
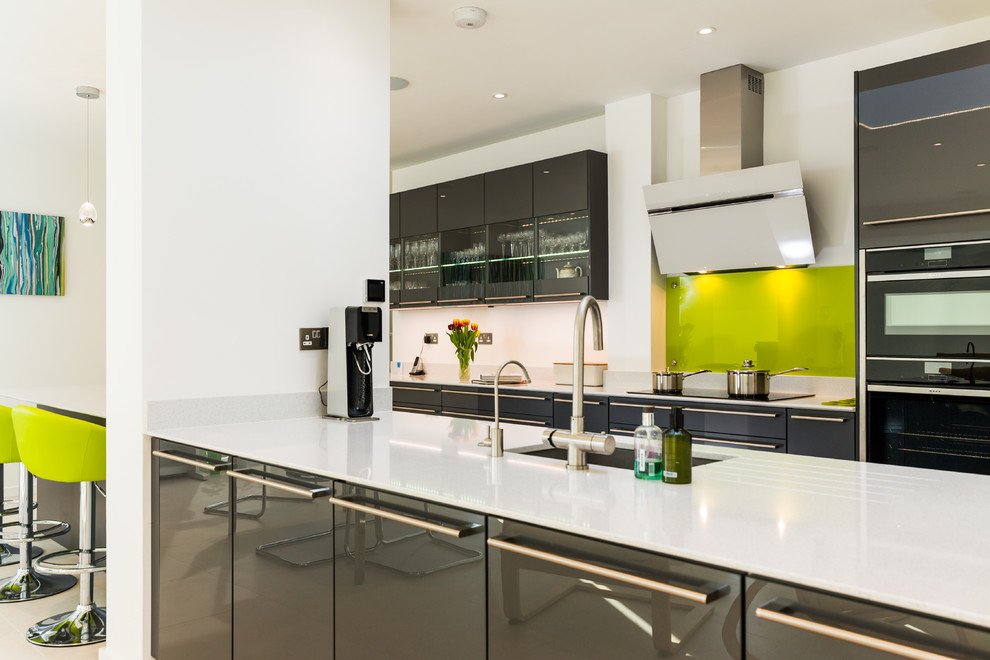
<point>940,314</point>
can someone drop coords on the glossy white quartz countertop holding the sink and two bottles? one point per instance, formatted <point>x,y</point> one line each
<point>907,537</point>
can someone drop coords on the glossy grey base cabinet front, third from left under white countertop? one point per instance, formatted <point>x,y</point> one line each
<point>404,586</point>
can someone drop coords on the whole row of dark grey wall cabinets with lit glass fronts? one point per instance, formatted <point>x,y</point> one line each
<point>531,233</point>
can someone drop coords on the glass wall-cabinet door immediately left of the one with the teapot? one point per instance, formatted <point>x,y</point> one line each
<point>511,250</point>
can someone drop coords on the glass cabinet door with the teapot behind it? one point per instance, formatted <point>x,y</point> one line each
<point>563,260</point>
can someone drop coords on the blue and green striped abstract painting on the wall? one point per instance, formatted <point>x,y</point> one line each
<point>30,254</point>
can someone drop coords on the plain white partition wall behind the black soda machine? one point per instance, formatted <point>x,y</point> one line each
<point>248,177</point>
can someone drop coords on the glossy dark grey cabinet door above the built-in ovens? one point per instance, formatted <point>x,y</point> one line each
<point>922,145</point>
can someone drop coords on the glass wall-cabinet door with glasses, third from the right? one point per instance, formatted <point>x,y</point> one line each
<point>462,265</point>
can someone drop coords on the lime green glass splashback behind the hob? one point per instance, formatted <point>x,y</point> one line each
<point>802,317</point>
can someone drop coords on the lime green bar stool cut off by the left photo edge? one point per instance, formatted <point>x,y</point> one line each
<point>26,583</point>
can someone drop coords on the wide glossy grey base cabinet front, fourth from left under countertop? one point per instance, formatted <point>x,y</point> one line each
<point>550,600</point>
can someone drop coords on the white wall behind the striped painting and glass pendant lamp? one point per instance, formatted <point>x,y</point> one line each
<point>52,340</point>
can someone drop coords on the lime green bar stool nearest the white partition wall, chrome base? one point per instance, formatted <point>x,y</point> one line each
<point>60,448</point>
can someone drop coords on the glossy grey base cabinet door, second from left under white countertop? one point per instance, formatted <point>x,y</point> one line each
<point>283,564</point>
